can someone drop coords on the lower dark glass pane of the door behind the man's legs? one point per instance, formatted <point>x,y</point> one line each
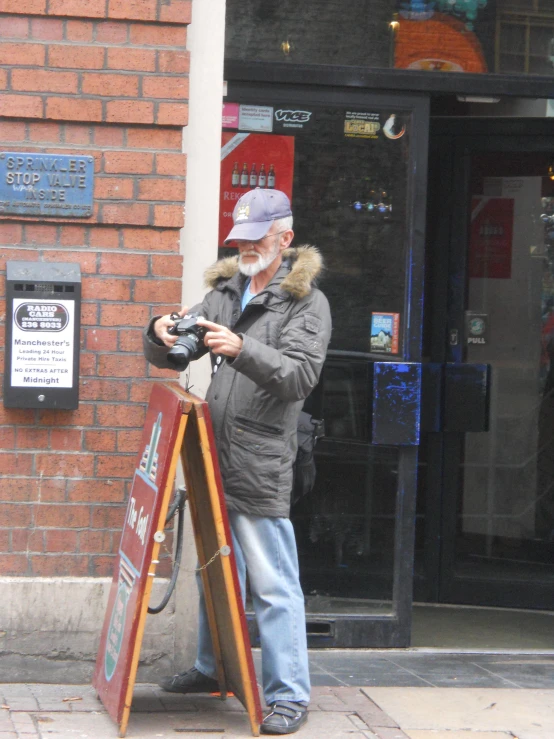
<point>345,526</point>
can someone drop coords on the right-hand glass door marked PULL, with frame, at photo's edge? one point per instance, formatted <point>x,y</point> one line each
<point>497,489</point>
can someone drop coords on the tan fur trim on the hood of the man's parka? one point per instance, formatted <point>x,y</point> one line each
<point>306,264</point>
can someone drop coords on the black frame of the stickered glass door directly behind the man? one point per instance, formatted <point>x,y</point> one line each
<point>375,630</point>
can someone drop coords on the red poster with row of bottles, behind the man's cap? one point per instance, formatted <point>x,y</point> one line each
<point>250,160</point>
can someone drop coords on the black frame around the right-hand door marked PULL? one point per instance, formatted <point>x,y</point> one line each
<point>453,143</point>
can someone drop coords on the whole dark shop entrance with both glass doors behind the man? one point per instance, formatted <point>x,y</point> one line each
<point>435,475</point>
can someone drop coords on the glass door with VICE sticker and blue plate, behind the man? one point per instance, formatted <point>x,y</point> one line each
<point>355,163</point>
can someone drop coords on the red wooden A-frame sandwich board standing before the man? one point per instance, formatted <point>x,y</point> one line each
<point>177,425</point>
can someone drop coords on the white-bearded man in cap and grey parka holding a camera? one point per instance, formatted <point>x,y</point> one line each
<point>268,328</point>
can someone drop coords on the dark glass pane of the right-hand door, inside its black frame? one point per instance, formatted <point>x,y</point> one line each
<point>506,516</point>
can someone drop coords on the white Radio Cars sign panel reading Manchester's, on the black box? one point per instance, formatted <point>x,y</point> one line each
<point>42,343</point>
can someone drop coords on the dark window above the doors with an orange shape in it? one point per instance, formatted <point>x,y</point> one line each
<point>477,36</point>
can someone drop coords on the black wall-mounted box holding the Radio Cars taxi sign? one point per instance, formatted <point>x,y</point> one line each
<point>42,335</point>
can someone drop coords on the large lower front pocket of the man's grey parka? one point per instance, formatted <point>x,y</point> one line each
<point>254,461</point>
